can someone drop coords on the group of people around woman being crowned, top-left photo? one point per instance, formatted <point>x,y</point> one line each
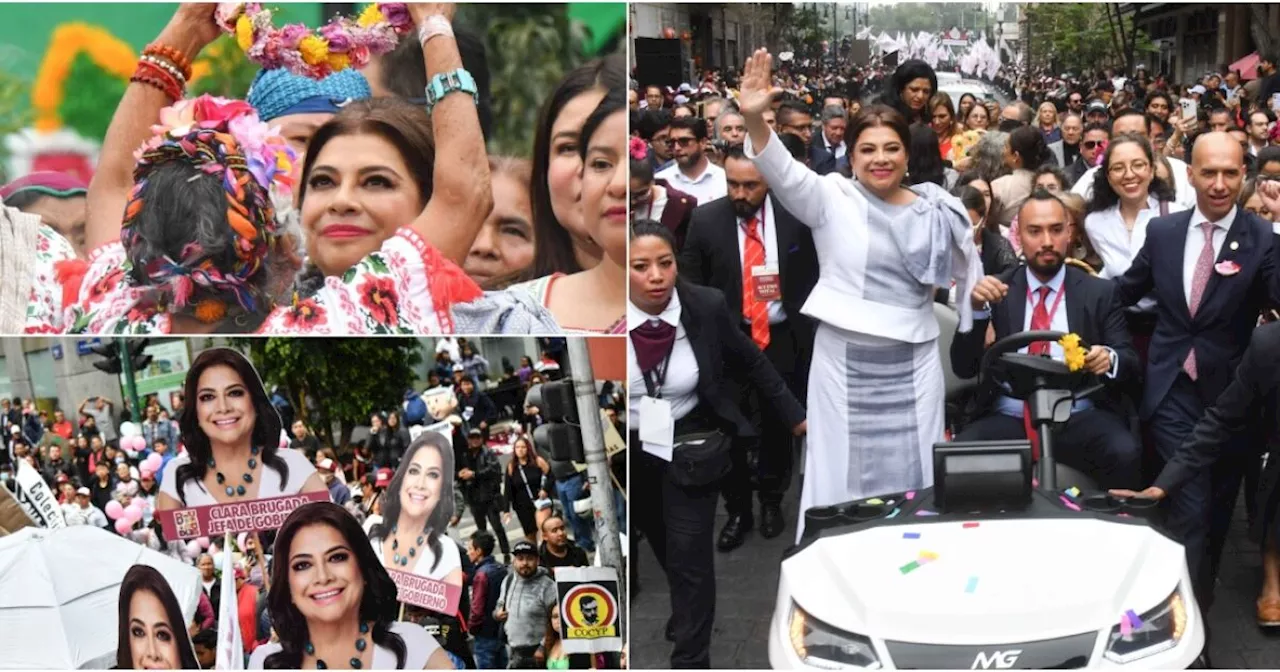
<point>294,239</point>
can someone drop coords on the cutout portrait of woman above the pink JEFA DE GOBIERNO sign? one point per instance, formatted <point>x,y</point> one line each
<point>232,435</point>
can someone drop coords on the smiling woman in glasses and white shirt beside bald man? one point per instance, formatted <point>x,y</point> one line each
<point>1127,196</point>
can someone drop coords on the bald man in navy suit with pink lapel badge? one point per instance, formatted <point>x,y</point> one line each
<point>1213,269</point>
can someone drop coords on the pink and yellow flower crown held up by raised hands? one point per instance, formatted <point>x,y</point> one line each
<point>339,45</point>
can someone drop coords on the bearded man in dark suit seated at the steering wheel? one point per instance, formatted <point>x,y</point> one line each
<point>1096,441</point>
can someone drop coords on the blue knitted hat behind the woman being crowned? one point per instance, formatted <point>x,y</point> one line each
<point>280,93</point>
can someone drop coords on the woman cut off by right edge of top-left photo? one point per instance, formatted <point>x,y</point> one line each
<point>595,300</point>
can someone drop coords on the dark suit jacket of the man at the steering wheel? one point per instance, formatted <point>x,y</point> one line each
<point>1091,313</point>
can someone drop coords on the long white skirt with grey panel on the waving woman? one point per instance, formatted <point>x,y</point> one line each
<point>876,409</point>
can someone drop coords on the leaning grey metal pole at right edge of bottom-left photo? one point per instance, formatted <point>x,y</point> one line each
<point>609,545</point>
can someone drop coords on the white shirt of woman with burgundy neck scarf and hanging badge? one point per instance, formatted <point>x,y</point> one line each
<point>680,387</point>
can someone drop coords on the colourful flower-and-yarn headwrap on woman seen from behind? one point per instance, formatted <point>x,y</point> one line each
<point>220,138</point>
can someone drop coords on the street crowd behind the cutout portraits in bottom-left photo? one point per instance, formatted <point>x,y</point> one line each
<point>106,469</point>
